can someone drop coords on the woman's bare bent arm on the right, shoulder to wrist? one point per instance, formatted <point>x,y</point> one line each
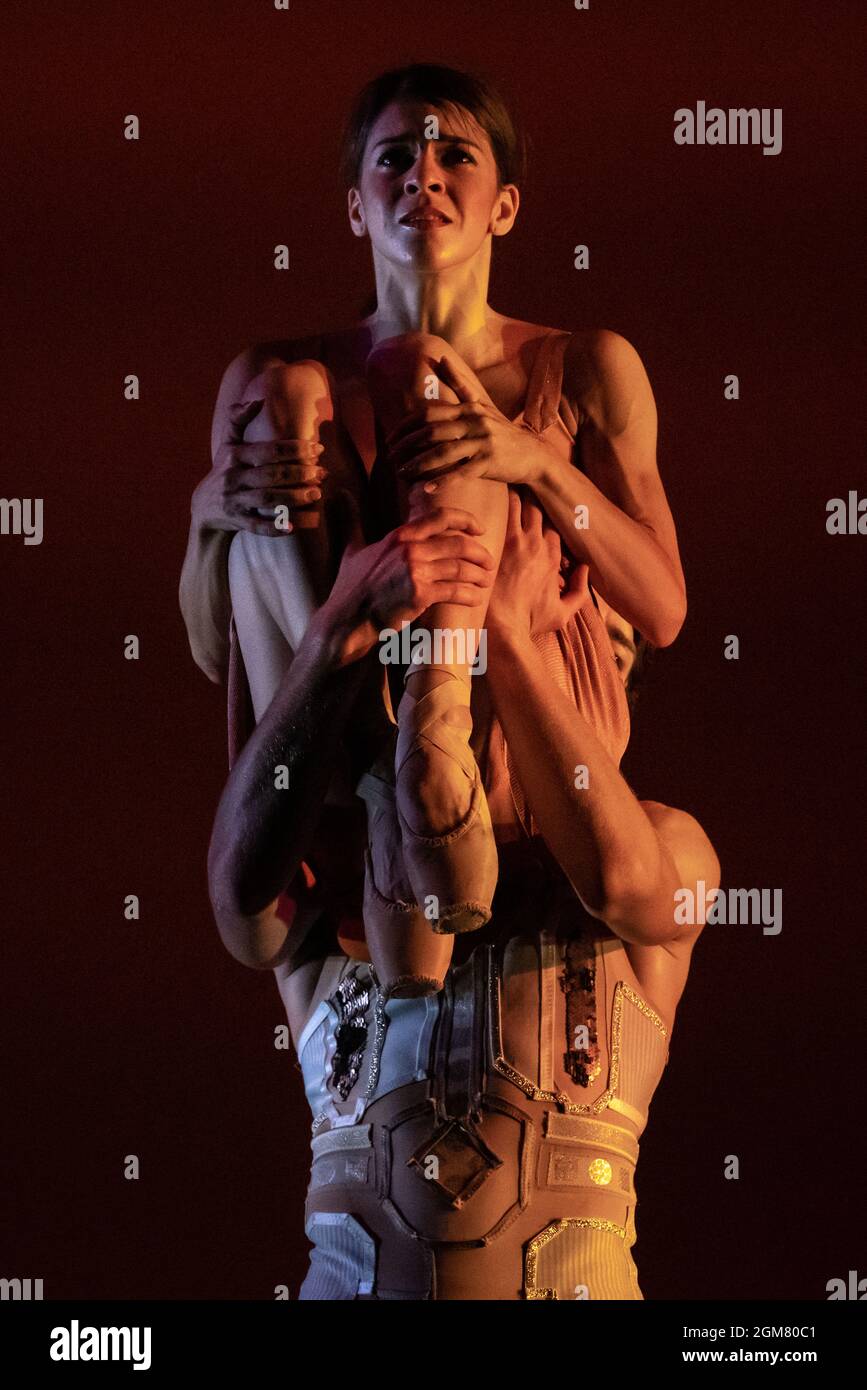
<point>630,543</point>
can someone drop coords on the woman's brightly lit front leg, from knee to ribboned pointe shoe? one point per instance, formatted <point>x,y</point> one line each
<point>448,837</point>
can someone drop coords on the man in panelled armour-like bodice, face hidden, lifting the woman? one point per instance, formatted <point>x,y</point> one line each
<point>480,1143</point>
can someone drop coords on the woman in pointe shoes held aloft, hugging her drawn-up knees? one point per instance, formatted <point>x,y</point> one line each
<point>434,166</point>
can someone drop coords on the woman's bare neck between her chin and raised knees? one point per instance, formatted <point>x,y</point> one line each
<point>452,305</point>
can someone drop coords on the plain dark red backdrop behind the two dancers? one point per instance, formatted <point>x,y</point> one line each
<point>156,258</point>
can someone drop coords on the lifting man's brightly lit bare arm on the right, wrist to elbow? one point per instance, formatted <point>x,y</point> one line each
<point>625,864</point>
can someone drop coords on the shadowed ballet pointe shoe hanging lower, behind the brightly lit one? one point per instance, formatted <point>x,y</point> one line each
<point>409,961</point>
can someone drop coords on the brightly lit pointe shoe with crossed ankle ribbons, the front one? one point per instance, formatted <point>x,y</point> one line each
<point>455,872</point>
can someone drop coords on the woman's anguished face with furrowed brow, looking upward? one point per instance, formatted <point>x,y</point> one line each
<point>455,176</point>
